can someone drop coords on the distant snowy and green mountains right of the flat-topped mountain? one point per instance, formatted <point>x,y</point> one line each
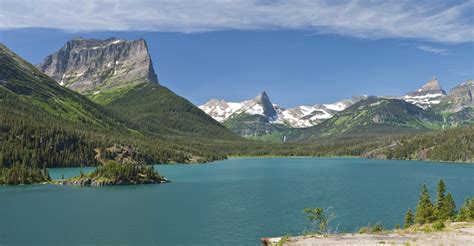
<point>432,108</point>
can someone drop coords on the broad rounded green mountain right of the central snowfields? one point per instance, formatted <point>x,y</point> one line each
<point>374,116</point>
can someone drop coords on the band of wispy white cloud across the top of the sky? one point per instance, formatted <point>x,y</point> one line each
<point>427,20</point>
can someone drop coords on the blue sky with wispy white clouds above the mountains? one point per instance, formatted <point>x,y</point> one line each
<point>300,52</point>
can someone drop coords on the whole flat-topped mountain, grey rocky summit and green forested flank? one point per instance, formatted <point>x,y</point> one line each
<point>118,74</point>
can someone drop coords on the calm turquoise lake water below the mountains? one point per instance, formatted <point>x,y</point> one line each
<point>233,202</point>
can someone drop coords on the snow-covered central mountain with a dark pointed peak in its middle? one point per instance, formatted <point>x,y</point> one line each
<point>297,117</point>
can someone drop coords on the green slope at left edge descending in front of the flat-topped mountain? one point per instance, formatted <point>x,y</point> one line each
<point>23,83</point>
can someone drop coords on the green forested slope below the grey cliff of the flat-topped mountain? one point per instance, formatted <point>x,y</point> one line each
<point>157,110</point>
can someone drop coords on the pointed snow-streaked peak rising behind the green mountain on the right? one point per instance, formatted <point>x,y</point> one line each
<point>428,95</point>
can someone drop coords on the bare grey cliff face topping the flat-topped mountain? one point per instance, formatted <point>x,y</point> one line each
<point>92,65</point>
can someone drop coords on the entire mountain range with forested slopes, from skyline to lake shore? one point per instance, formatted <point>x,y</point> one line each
<point>92,96</point>
